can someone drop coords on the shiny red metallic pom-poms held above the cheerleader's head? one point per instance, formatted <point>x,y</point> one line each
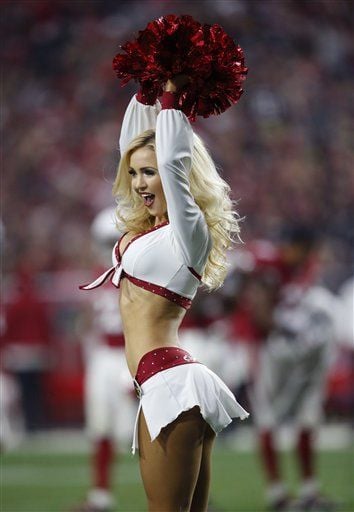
<point>173,45</point>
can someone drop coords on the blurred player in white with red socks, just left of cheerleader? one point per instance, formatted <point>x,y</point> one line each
<point>110,402</point>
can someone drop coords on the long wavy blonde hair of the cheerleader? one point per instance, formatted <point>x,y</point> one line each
<point>211,193</point>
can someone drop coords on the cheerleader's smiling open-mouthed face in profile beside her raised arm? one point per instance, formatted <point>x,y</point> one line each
<point>146,181</point>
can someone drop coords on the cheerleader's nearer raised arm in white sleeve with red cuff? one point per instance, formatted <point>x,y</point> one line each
<point>174,147</point>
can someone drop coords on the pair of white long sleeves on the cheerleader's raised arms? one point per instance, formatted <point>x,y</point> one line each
<point>174,145</point>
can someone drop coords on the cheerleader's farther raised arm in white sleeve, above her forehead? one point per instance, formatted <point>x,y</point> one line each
<point>138,117</point>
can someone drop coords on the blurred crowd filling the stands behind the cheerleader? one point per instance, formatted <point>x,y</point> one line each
<point>286,148</point>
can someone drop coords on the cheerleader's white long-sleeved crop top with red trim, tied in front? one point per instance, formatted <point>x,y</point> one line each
<point>169,258</point>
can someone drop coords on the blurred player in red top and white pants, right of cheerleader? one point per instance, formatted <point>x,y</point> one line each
<point>294,317</point>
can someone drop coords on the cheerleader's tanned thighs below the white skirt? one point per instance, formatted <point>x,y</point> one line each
<point>170,464</point>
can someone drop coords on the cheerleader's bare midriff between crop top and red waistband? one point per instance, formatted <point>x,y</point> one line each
<point>149,321</point>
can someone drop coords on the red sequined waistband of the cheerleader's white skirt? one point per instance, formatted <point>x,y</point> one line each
<point>161,359</point>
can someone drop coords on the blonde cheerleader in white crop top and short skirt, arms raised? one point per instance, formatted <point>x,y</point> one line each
<point>178,220</point>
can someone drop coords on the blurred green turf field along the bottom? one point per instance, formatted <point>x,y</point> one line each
<point>54,482</point>
